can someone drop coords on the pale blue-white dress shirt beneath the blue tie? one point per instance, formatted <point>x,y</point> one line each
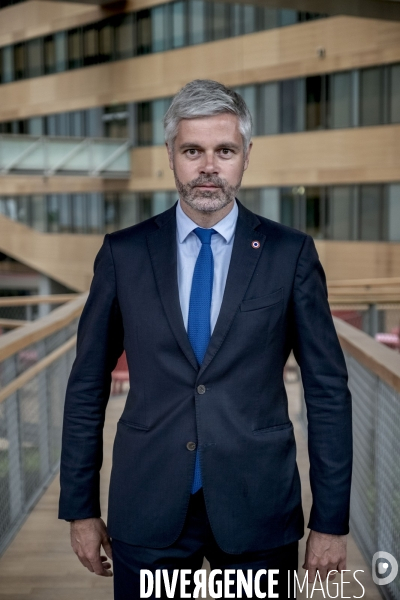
<point>189,246</point>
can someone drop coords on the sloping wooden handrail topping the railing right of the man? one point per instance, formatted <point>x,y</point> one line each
<point>375,356</point>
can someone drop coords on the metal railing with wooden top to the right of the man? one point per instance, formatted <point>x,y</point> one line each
<point>374,381</point>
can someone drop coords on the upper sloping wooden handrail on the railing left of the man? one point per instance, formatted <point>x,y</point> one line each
<point>18,339</point>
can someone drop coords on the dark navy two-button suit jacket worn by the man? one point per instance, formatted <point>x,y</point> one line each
<point>275,300</point>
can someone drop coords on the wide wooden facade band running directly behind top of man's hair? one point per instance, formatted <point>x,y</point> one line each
<point>349,42</point>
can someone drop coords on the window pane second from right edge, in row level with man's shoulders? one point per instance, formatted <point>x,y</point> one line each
<point>371,212</point>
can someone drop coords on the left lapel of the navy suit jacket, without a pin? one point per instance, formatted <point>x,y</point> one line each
<point>163,253</point>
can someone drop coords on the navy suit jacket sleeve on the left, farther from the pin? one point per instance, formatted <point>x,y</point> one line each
<point>100,343</point>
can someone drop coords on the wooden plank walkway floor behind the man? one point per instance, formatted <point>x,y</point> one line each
<point>40,565</point>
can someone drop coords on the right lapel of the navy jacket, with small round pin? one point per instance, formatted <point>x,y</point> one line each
<point>242,265</point>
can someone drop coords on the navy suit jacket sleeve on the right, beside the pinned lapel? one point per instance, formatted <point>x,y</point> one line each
<point>328,400</point>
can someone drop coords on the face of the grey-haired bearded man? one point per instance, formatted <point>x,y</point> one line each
<point>208,161</point>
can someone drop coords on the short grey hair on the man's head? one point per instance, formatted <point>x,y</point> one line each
<point>206,98</point>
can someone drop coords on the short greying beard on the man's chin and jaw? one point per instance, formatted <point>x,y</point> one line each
<point>204,200</point>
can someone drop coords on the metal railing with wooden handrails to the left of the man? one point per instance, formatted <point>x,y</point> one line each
<point>35,361</point>
